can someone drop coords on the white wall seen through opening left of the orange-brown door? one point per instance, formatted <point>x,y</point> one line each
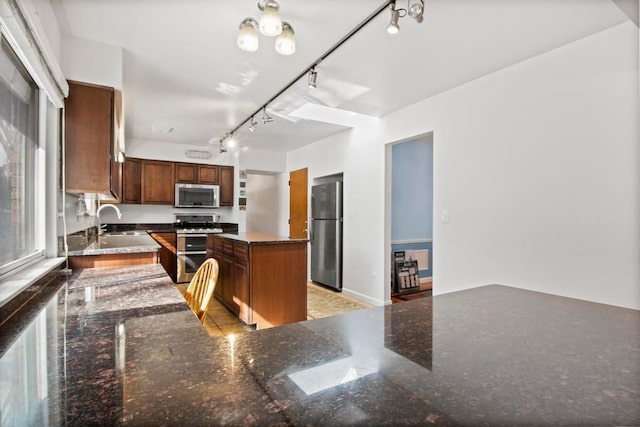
<point>263,203</point>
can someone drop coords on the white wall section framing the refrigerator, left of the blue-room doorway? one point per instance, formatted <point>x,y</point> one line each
<point>355,153</point>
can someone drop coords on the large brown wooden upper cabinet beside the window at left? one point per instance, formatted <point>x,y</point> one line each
<point>92,140</point>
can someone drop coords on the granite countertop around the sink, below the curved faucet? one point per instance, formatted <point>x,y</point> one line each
<point>136,242</point>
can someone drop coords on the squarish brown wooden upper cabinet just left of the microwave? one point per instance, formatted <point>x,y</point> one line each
<point>157,182</point>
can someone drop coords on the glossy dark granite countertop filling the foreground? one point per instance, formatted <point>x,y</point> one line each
<point>121,347</point>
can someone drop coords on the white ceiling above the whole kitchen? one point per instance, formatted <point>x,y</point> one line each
<point>182,68</point>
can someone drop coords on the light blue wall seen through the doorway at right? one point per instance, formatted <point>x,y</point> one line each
<point>412,197</point>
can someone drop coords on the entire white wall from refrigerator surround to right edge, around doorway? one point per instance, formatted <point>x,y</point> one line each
<point>537,165</point>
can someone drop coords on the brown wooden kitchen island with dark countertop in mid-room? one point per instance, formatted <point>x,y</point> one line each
<point>263,277</point>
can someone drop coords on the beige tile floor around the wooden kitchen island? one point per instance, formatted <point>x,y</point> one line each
<point>321,302</point>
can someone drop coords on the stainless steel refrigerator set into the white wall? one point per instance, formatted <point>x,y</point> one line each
<point>325,234</point>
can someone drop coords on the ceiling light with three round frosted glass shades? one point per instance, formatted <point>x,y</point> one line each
<point>270,25</point>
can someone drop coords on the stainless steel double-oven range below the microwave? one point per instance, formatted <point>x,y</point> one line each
<point>191,242</point>
